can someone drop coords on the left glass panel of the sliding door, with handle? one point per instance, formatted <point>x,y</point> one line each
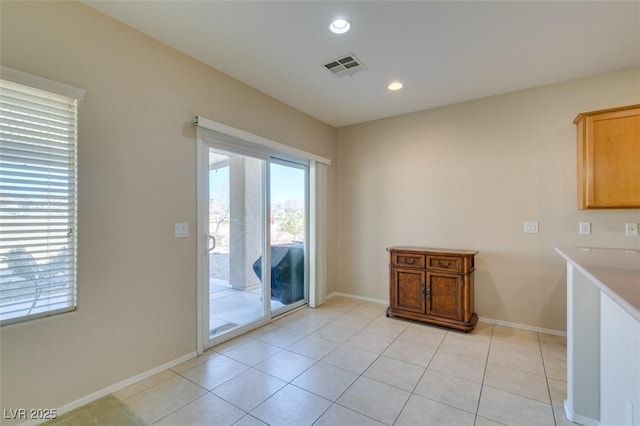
<point>235,241</point>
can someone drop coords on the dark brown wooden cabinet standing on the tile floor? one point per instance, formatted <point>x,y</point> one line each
<point>432,285</point>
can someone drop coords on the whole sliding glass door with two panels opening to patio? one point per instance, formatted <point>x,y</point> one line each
<point>254,213</point>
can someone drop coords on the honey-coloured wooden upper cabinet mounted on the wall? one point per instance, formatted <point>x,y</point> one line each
<point>609,158</point>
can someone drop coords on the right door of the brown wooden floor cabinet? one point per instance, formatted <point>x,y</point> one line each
<point>444,295</point>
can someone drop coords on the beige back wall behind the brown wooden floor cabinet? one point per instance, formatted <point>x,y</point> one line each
<point>467,176</point>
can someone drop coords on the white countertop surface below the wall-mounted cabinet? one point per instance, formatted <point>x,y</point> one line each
<point>615,271</point>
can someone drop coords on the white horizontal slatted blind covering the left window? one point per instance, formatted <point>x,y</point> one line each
<point>38,202</point>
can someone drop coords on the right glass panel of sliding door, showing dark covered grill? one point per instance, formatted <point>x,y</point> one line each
<point>288,234</point>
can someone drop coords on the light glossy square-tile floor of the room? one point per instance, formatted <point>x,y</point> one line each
<point>345,363</point>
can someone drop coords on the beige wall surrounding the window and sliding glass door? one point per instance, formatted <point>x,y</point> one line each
<point>137,284</point>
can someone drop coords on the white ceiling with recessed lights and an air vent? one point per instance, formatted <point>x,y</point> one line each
<point>443,52</point>
